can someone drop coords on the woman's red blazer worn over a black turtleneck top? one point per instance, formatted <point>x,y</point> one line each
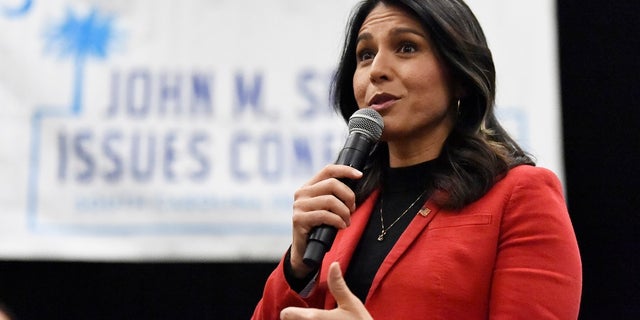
<point>510,255</point>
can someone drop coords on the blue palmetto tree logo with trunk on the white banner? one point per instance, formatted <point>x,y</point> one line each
<point>80,38</point>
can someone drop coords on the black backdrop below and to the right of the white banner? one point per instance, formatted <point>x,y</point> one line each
<point>599,64</point>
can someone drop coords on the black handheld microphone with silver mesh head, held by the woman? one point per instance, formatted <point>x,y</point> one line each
<point>365,128</point>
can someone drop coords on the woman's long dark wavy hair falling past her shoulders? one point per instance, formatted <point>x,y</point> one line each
<point>478,151</point>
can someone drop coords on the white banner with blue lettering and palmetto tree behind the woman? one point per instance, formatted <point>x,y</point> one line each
<point>179,130</point>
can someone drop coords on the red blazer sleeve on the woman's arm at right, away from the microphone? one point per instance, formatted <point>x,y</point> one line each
<point>537,273</point>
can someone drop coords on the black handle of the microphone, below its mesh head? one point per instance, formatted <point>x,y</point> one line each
<point>354,154</point>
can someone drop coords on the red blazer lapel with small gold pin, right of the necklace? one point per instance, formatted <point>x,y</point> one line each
<point>411,234</point>
